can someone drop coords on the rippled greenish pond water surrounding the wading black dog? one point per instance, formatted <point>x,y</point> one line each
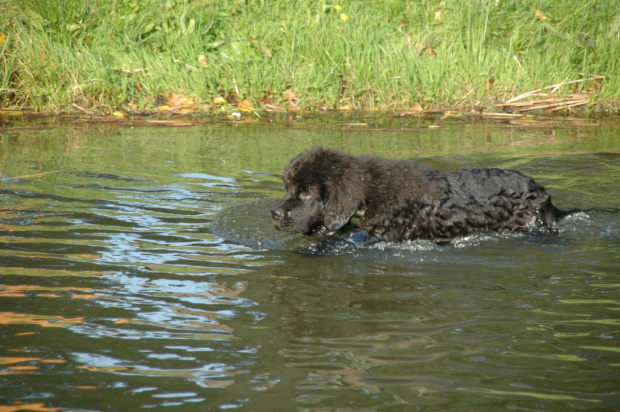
<point>139,270</point>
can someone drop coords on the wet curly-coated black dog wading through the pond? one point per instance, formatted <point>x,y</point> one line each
<point>395,200</point>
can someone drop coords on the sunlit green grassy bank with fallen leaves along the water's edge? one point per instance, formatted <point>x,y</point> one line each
<point>107,55</point>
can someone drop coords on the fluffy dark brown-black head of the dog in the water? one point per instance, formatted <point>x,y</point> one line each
<point>323,190</point>
